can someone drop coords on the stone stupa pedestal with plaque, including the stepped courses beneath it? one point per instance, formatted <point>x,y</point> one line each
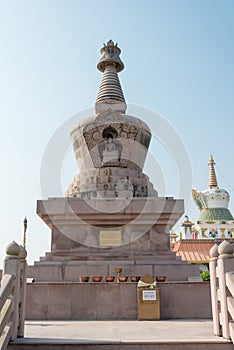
<point>94,237</point>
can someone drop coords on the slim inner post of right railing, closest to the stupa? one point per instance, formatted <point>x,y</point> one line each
<point>213,289</point>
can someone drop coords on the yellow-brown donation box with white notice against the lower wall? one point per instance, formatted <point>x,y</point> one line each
<point>148,297</point>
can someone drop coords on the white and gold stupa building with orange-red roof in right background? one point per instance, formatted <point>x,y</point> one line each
<point>214,224</point>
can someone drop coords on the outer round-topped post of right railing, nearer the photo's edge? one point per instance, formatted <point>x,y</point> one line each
<point>225,264</point>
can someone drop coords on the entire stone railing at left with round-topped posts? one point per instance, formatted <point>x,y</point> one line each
<point>12,295</point>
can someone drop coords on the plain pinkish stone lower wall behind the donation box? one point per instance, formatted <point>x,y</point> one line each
<point>114,301</point>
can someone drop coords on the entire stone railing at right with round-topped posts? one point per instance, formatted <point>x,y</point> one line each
<point>222,289</point>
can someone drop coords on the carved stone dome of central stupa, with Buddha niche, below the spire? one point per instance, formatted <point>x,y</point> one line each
<point>129,135</point>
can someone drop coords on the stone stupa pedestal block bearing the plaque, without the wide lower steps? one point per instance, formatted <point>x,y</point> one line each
<point>121,229</point>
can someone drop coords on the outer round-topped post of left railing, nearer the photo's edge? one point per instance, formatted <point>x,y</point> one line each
<point>12,267</point>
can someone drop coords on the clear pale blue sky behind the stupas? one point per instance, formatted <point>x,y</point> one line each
<point>179,62</point>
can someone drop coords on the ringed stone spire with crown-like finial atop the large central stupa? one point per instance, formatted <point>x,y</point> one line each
<point>110,94</point>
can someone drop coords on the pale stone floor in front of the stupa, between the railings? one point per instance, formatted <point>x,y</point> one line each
<point>124,335</point>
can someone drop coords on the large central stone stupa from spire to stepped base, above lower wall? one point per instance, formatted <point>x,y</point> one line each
<point>111,216</point>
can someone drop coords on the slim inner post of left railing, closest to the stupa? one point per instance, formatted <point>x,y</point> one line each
<point>23,267</point>
